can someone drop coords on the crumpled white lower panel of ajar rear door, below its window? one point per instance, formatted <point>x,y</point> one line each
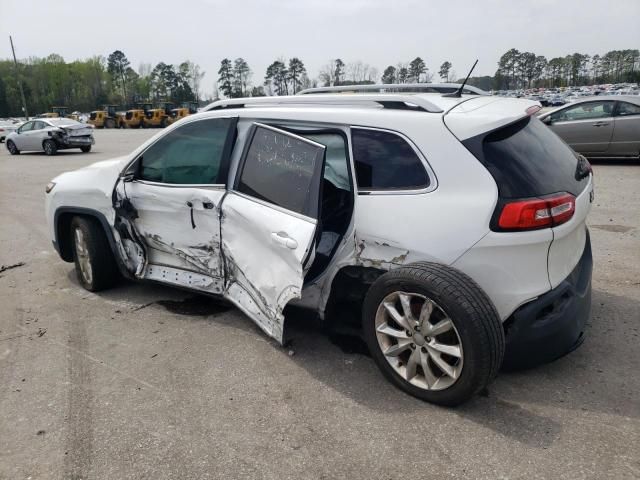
<point>264,248</point>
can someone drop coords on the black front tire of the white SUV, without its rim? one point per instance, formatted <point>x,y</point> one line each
<point>99,256</point>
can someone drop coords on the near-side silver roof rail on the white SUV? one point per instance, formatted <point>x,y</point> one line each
<point>391,101</point>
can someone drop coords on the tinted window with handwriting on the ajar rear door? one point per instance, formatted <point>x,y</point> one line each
<point>283,169</point>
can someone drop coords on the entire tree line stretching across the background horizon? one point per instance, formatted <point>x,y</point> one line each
<point>87,84</point>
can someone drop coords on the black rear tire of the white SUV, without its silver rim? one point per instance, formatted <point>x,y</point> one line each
<point>472,313</point>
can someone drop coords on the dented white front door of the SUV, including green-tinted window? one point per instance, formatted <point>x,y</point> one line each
<point>174,200</point>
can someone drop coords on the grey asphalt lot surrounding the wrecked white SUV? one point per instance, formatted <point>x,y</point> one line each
<point>115,385</point>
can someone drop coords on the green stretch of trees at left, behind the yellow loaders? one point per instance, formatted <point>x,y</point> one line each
<point>85,85</point>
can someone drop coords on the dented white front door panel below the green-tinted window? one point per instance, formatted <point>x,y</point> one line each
<point>170,234</point>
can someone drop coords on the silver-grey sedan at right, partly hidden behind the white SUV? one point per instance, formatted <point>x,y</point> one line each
<point>599,127</point>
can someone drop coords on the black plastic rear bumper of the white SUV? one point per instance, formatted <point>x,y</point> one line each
<point>552,325</point>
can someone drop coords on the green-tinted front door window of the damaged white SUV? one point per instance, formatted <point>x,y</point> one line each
<point>191,154</point>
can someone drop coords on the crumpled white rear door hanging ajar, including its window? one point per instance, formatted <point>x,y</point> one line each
<point>268,224</point>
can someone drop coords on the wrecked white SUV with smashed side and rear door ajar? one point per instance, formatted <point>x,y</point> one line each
<point>454,226</point>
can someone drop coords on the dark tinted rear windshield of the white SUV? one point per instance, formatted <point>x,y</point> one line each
<point>526,159</point>
